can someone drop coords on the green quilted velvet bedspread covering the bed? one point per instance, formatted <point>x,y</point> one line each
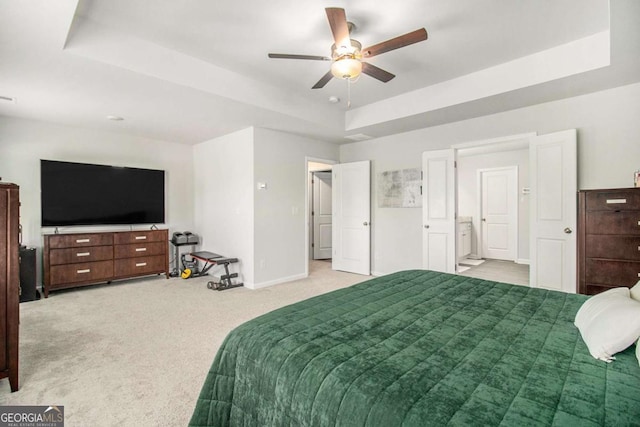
<point>419,348</point>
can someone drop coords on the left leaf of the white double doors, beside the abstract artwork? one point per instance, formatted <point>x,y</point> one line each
<point>439,210</point>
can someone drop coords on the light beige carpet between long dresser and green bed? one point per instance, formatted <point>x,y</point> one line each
<point>135,353</point>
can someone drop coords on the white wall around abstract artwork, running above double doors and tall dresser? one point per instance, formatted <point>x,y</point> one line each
<point>608,153</point>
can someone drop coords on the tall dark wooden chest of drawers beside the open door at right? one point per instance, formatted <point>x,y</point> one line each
<point>608,239</point>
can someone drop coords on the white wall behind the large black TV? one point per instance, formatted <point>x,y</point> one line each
<point>24,142</point>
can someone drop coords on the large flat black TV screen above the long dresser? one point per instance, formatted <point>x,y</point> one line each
<point>85,194</point>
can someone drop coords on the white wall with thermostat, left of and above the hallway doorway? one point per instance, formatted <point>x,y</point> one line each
<point>280,223</point>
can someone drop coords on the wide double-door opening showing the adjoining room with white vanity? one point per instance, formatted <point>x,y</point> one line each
<point>493,185</point>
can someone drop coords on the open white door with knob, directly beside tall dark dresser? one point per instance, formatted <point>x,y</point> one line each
<point>553,169</point>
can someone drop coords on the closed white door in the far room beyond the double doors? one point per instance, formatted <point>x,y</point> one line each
<point>499,221</point>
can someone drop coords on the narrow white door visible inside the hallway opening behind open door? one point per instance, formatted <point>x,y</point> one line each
<point>321,214</point>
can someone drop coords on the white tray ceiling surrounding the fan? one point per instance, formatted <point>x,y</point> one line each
<point>191,71</point>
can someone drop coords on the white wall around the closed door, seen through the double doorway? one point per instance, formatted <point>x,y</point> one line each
<point>468,192</point>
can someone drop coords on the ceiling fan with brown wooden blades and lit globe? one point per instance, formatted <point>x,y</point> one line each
<point>347,54</point>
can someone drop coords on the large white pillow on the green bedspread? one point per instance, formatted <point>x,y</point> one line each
<point>609,322</point>
